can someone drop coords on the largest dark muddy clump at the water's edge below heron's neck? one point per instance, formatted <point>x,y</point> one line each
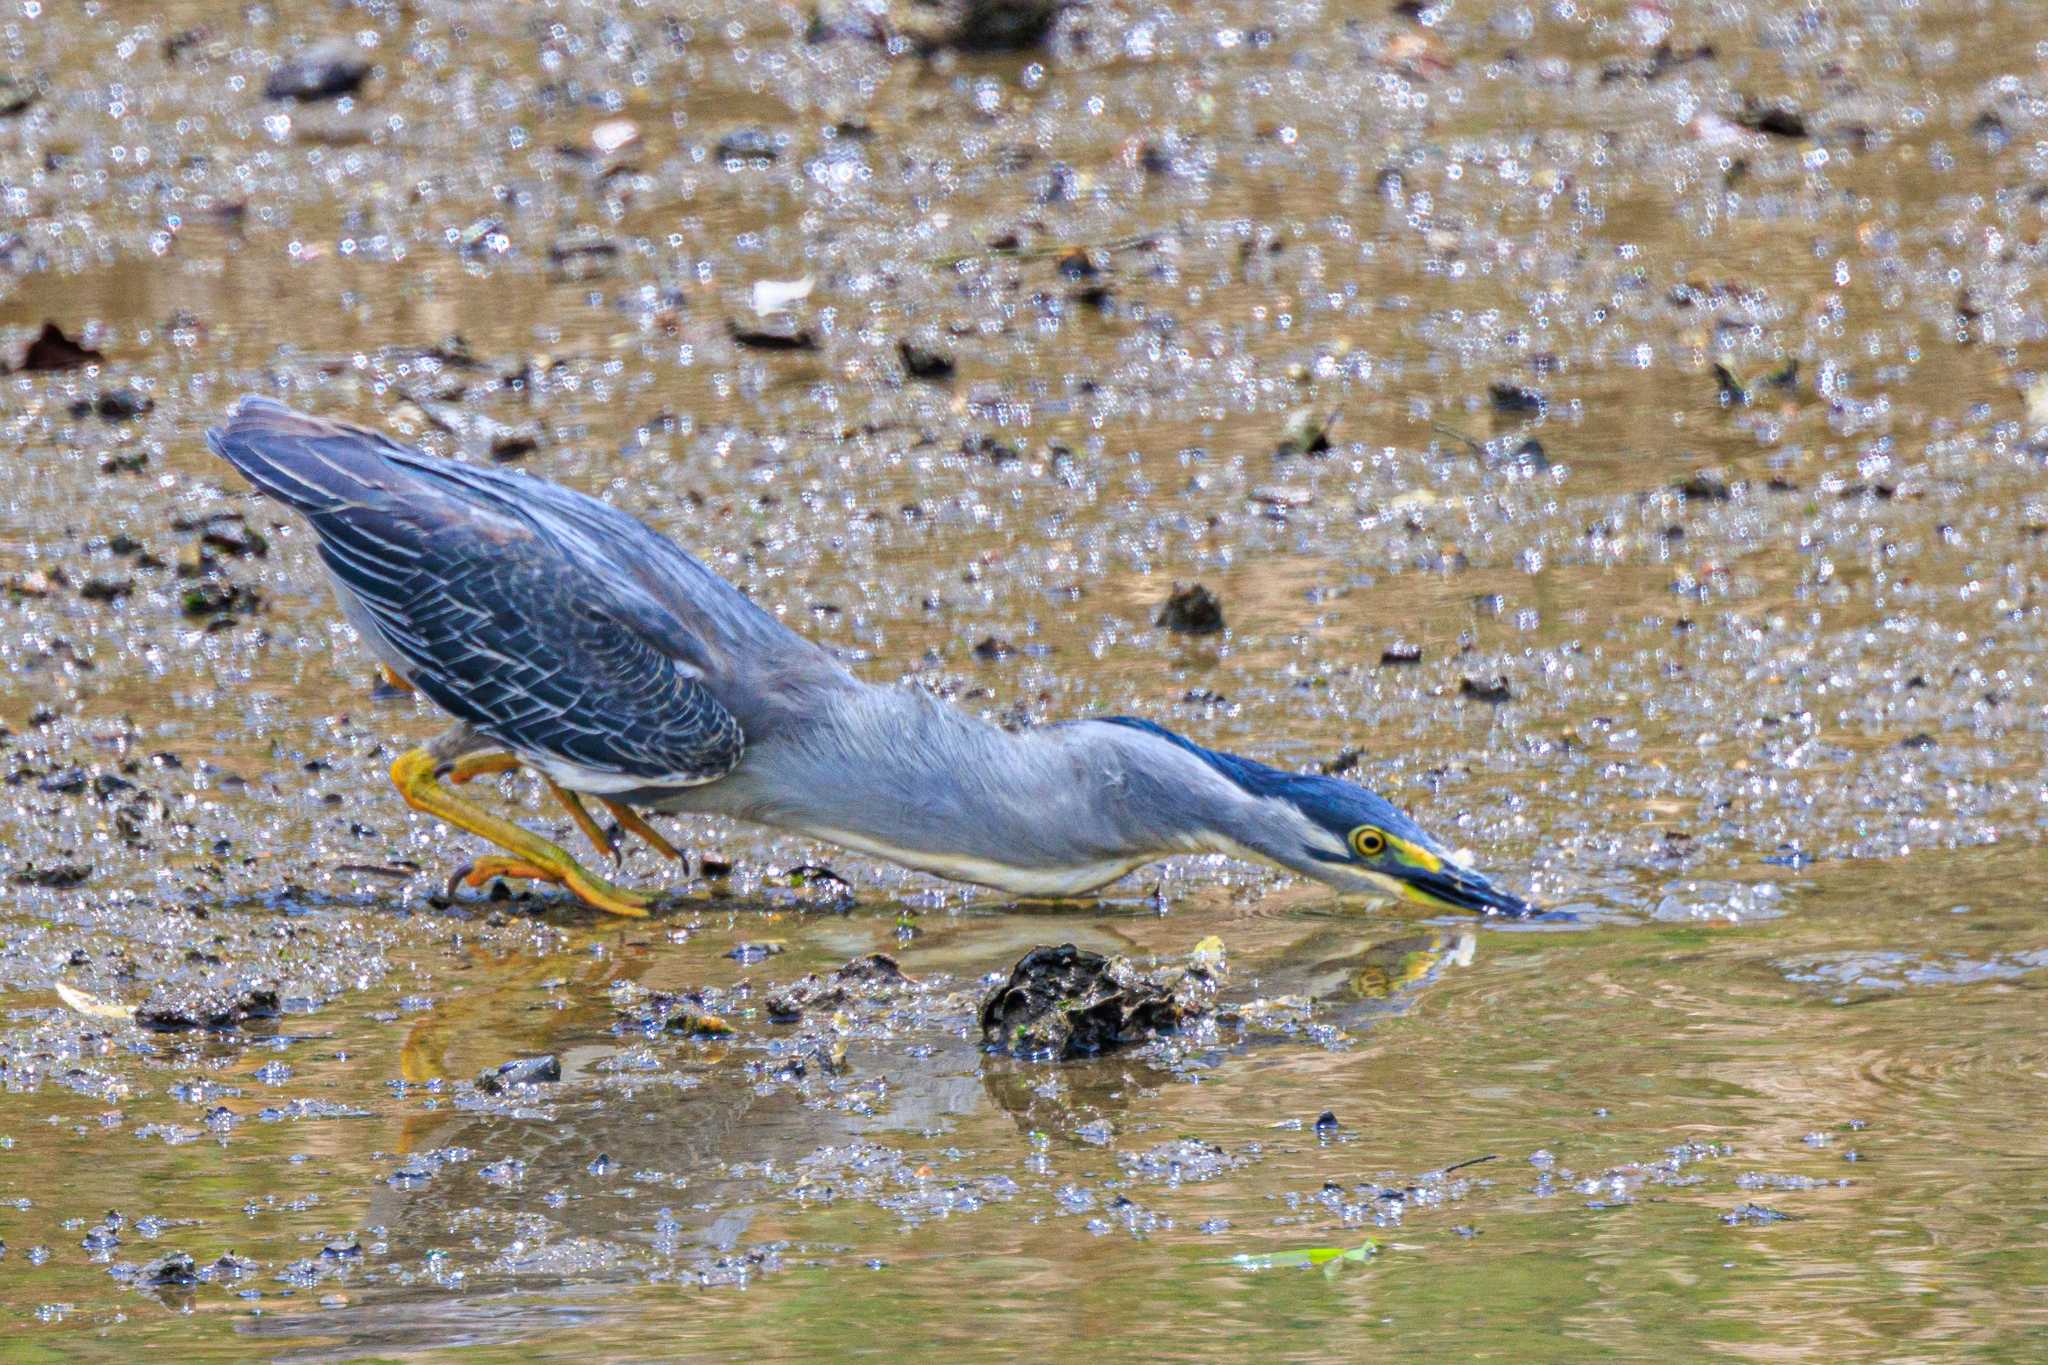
<point>1070,1004</point>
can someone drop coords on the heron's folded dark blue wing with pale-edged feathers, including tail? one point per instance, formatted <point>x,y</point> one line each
<point>503,627</point>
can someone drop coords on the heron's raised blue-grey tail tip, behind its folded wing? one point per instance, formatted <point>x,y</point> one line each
<point>308,464</point>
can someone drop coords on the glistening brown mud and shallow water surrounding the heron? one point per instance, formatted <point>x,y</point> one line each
<point>1773,648</point>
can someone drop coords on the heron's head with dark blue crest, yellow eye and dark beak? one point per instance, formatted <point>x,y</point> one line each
<point>1336,832</point>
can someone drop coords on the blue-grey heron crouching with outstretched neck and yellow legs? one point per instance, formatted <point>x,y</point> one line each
<point>568,637</point>
